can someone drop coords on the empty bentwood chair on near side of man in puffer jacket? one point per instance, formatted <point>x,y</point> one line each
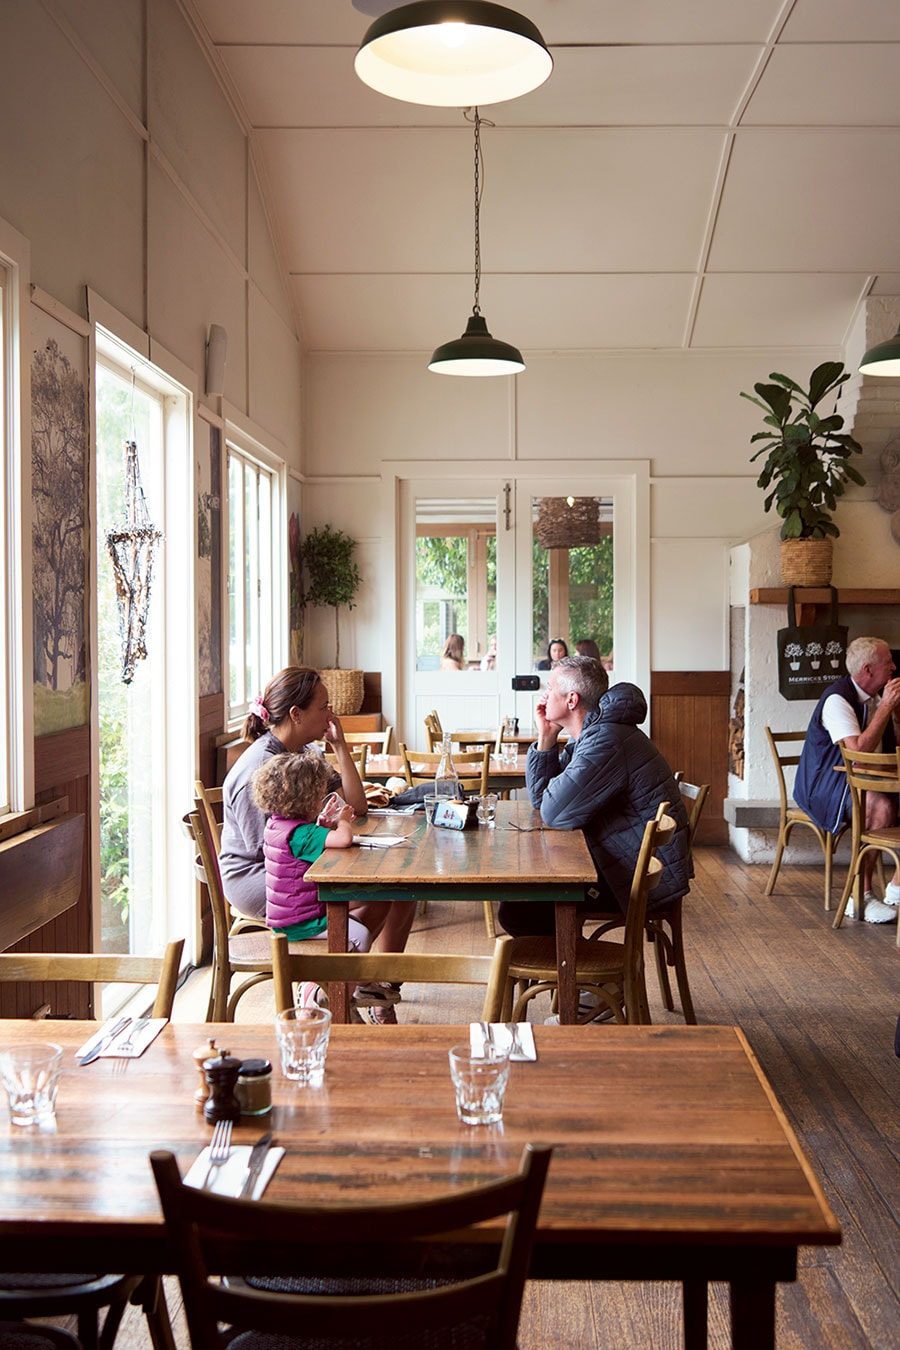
<point>611,971</point>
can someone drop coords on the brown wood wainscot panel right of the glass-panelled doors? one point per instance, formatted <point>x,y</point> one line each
<point>690,726</point>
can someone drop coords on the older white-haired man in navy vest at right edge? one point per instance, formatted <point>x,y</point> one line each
<point>859,709</point>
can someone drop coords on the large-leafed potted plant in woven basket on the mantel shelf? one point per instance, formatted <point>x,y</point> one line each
<point>808,468</point>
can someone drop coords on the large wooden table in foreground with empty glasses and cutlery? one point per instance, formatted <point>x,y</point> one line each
<point>673,1158</point>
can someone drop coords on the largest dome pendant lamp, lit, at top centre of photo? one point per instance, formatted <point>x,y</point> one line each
<point>453,55</point>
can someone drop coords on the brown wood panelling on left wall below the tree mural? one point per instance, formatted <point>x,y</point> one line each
<point>61,769</point>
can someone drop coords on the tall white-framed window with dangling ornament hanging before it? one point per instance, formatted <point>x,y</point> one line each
<point>146,723</point>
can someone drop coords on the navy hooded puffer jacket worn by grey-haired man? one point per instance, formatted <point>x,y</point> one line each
<point>609,784</point>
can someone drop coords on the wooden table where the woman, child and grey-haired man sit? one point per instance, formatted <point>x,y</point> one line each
<point>517,859</point>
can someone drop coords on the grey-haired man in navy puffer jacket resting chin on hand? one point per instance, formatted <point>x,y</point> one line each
<point>608,782</point>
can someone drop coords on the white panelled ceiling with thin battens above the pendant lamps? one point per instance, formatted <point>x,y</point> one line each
<point>694,175</point>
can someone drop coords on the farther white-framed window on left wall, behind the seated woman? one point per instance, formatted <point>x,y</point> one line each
<point>257,568</point>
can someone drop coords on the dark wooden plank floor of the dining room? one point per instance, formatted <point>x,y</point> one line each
<point>820,1009</point>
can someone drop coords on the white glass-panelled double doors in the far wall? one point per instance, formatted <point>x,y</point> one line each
<point>493,572</point>
